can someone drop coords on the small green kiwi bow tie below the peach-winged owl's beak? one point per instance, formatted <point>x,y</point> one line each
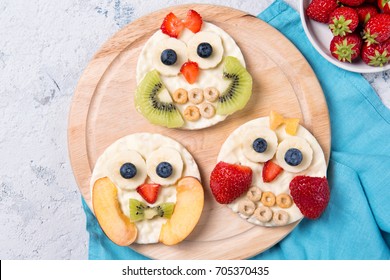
<point>140,211</point>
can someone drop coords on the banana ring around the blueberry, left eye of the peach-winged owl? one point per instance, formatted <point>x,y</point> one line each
<point>118,160</point>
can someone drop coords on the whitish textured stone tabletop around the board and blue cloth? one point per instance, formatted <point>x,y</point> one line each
<point>44,47</point>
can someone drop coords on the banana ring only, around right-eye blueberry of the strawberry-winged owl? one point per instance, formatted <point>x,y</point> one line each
<point>298,143</point>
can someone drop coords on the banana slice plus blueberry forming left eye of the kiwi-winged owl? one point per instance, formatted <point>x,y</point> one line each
<point>169,55</point>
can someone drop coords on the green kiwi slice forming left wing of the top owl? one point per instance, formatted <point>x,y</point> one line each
<point>151,107</point>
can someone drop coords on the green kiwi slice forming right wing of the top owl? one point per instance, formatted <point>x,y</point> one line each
<point>237,94</point>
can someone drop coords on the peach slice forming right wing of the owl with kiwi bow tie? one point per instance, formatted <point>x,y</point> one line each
<point>189,206</point>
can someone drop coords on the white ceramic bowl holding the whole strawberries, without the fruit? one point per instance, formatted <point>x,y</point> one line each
<point>320,37</point>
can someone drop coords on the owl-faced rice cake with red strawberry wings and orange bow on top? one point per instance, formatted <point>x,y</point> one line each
<point>272,172</point>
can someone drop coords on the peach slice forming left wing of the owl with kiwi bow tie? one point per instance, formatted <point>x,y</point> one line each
<point>114,223</point>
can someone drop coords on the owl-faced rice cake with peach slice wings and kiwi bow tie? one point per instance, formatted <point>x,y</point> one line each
<point>146,189</point>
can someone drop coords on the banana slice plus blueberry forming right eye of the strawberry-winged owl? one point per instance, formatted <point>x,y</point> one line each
<point>294,154</point>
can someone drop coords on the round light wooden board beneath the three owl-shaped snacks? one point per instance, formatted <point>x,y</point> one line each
<point>103,111</point>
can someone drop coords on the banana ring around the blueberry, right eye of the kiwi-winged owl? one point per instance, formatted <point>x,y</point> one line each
<point>217,49</point>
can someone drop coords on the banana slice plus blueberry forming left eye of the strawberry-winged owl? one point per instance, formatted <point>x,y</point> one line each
<point>259,144</point>
